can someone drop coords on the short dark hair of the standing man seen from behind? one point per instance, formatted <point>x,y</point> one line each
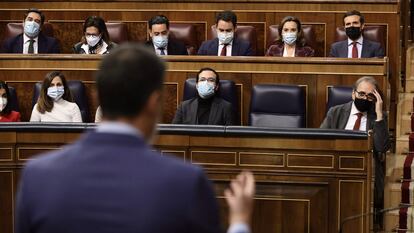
<point>126,78</point>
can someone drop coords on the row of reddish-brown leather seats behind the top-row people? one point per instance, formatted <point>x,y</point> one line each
<point>187,33</point>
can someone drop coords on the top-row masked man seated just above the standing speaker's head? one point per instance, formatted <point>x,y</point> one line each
<point>161,40</point>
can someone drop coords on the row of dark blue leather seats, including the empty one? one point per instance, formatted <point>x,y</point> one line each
<point>264,110</point>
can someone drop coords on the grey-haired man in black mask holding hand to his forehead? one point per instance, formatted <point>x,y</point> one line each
<point>365,113</point>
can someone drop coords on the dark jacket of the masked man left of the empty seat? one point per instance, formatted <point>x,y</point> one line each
<point>221,112</point>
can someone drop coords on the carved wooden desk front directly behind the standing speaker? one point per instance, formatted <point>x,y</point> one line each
<point>308,180</point>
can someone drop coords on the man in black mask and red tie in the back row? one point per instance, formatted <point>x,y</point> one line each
<point>356,46</point>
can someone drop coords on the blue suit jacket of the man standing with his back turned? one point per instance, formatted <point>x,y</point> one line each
<point>108,182</point>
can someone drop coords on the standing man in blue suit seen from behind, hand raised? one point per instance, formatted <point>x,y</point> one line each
<point>111,180</point>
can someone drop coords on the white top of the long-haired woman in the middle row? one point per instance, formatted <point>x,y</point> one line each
<point>62,111</point>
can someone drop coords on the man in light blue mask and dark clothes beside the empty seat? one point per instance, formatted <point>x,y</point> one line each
<point>206,108</point>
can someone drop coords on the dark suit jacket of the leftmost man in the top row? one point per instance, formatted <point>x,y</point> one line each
<point>45,45</point>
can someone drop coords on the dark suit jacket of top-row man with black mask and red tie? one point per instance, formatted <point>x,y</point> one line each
<point>369,49</point>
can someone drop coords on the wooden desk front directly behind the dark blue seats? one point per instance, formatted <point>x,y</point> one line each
<point>313,74</point>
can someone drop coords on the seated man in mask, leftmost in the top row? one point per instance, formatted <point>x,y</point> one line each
<point>32,40</point>
